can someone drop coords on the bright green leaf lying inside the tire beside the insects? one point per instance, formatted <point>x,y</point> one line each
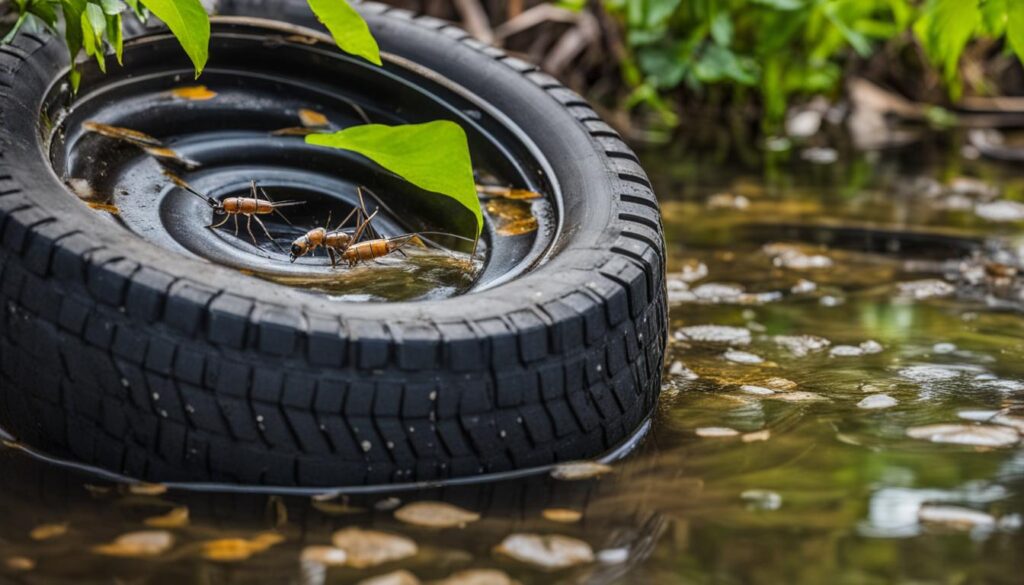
<point>433,156</point>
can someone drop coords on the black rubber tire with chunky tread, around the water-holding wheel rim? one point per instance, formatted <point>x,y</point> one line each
<point>156,366</point>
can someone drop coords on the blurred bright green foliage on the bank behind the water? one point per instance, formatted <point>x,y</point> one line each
<point>775,52</point>
